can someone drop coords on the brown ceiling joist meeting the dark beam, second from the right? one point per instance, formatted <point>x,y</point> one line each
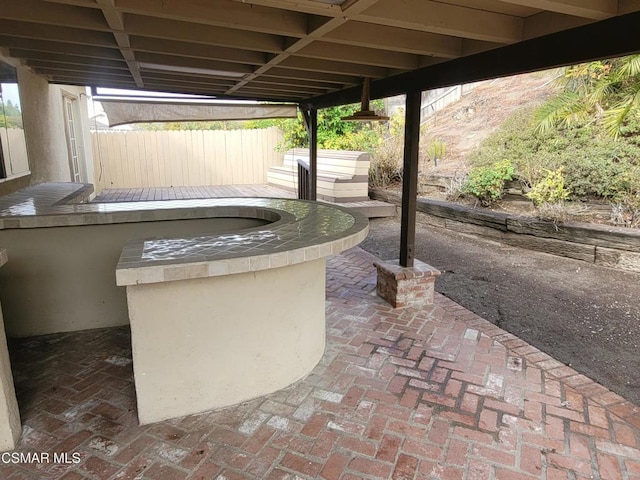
<point>445,19</point>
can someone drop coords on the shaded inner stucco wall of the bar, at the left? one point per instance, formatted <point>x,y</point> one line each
<point>63,278</point>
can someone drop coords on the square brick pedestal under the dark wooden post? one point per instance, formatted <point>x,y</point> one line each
<point>406,287</point>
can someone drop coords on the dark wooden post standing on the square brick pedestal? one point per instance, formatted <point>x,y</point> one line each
<point>410,178</point>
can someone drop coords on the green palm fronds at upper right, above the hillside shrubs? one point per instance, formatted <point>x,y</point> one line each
<point>604,92</point>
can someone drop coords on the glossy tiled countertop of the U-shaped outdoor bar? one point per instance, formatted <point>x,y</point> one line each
<point>299,231</point>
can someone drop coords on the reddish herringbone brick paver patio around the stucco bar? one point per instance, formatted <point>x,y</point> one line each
<point>437,393</point>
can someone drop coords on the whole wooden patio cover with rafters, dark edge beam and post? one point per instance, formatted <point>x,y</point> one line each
<point>312,52</point>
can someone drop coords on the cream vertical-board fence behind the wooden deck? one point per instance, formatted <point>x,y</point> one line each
<point>126,159</point>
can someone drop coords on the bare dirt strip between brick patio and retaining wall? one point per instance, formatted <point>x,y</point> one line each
<point>583,315</point>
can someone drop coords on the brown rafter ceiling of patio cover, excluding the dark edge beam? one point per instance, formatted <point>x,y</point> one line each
<point>252,41</point>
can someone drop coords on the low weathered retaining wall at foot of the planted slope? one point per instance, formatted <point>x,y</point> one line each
<point>613,247</point>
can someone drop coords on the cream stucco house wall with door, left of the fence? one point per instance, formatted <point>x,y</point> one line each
<point>44,125</point>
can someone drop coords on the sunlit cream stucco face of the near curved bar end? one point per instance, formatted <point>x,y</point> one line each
<point>199,344</point>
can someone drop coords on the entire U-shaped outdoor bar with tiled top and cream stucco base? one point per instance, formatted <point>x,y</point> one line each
<point>218,314</point>
